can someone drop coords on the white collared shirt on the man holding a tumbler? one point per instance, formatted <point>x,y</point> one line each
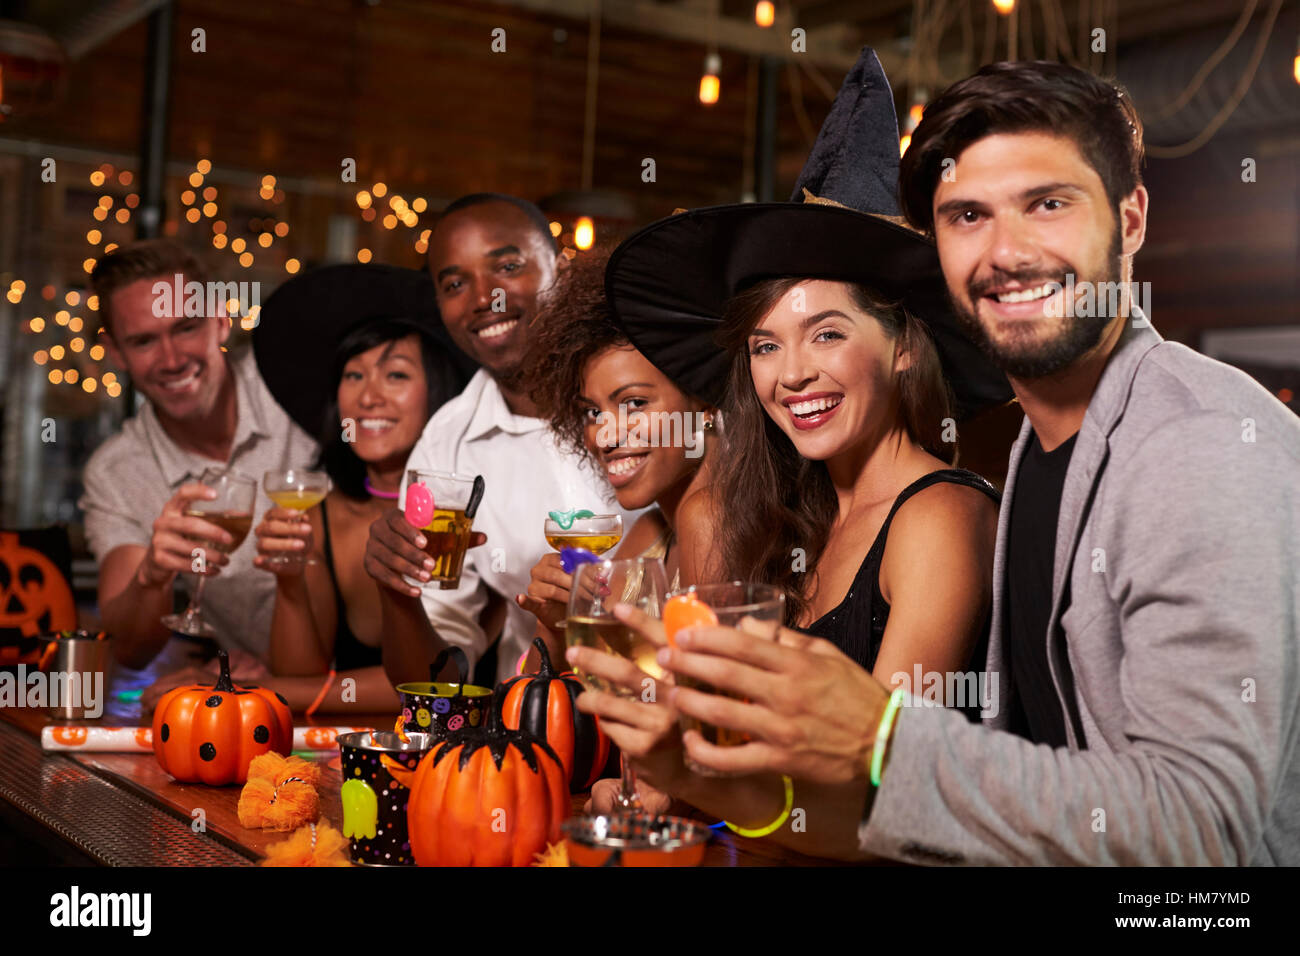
<point>526,477</point>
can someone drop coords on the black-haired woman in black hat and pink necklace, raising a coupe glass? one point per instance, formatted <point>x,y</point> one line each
<point>357,356</point>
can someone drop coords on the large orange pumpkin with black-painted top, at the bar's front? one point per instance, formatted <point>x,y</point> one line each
<point>484,797</point>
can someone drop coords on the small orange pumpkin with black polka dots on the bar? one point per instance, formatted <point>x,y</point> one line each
<point>211,734</point>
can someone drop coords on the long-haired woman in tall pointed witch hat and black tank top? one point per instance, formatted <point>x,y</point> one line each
<point>846,378</point>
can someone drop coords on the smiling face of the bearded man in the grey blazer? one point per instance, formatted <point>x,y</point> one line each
<point>1020,213</point>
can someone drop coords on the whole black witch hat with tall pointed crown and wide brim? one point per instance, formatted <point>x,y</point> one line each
<point>670,283</point>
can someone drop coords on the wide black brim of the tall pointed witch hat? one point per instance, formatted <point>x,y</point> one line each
<point>670,285</point>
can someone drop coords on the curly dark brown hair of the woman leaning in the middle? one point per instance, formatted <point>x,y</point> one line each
<point>574,325</point>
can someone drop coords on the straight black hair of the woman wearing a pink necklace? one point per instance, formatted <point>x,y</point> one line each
<point>441,379</point>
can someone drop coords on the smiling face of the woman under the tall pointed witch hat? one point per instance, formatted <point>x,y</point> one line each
<point>825,371</point>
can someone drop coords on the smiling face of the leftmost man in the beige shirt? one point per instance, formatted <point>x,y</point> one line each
<point>176,364</point>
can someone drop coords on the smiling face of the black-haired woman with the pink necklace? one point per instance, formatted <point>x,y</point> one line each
<point>384,391</point>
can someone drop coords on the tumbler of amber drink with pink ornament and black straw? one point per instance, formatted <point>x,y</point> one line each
<point>443,505</point>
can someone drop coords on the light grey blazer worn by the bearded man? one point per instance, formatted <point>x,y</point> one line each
<point>1177,605</point>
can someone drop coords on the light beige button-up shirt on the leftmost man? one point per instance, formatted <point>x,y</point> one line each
<point>133,475</point>
